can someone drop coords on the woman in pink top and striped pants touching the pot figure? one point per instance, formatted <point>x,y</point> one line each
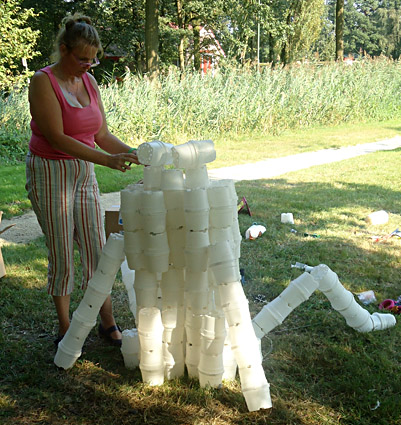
<point>67,120</point>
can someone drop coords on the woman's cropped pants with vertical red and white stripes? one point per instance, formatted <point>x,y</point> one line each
<point>65,198</point>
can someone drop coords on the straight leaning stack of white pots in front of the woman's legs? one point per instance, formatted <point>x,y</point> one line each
<point>84,318</point>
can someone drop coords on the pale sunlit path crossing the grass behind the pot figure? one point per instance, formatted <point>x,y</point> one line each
<point>26,227</point>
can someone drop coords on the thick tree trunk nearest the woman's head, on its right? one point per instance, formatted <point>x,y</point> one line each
<point>152,38</point>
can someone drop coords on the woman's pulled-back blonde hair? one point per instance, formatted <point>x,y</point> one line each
<point>76,30</point>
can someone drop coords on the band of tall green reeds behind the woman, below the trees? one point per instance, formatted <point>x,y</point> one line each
<point>234,101</point>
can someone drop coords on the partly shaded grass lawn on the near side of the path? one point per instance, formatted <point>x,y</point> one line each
<point>320,370</point>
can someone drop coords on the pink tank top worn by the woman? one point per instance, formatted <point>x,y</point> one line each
<point>80,123</point>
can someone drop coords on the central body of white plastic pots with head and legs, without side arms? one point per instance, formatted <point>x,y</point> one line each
<point>192,223</point>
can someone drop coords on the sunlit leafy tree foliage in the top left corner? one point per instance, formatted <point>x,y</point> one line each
<point>17,42</point>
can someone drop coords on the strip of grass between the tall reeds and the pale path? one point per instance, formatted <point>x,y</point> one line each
<point>240,149</point>
